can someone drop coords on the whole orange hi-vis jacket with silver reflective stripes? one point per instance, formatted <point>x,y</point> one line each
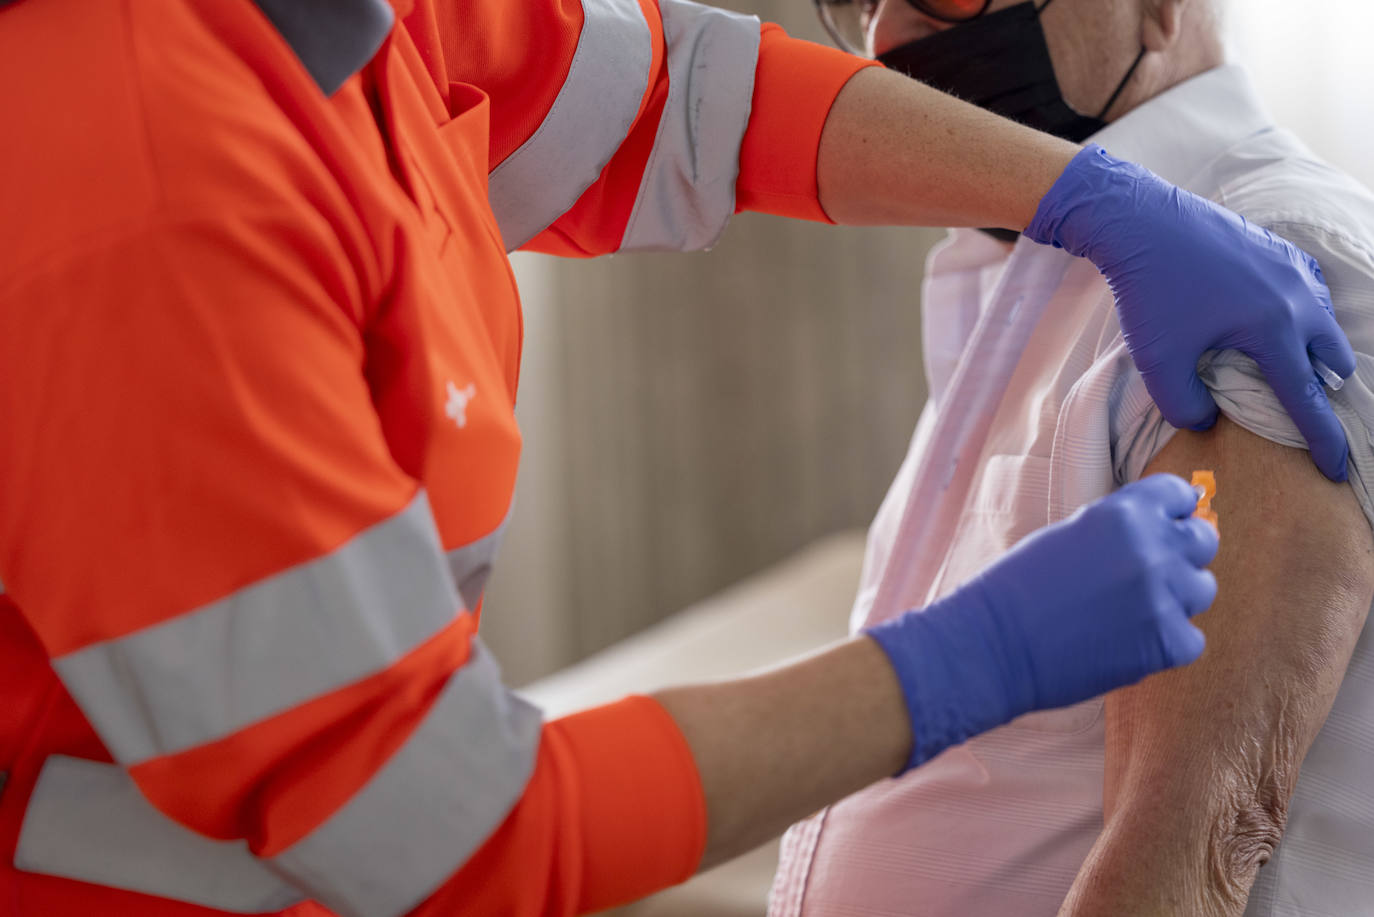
<point>259,353</point>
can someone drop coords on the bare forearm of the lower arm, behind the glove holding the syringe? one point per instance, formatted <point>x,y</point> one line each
<point>776,747</point>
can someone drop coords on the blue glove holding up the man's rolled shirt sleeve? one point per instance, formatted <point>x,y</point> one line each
<point>1192,277</point>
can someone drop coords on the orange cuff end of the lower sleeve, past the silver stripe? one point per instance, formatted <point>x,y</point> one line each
<point>613,813</point>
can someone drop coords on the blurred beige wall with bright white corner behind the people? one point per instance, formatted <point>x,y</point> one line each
<point>693,419</point>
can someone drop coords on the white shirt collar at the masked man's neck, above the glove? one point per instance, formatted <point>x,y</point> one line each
<point>1184,130</point>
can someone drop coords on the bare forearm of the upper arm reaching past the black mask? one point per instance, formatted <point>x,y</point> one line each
<point>898,153</point>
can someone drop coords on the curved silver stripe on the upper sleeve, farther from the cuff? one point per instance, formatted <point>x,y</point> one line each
<point>587,123</point>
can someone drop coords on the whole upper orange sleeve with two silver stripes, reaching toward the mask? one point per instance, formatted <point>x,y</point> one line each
<point>729,118</point>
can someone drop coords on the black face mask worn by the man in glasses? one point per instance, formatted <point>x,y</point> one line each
<point>1001,63</point>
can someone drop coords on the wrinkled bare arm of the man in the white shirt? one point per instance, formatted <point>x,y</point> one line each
<point>1202,762</point>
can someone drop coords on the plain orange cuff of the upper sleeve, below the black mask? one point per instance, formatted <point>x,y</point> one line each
<point>795,89</point>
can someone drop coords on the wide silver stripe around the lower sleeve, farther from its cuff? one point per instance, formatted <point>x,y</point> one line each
<point>269,648</point>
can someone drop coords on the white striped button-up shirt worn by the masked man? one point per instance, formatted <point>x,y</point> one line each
<point>1035,410</point>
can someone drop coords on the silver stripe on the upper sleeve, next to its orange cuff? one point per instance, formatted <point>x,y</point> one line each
<point>689,188</point>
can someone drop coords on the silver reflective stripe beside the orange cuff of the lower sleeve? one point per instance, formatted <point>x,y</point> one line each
<point>431,808</point>
